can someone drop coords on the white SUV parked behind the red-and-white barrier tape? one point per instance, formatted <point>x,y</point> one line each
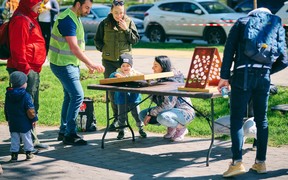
<point>187,20</point>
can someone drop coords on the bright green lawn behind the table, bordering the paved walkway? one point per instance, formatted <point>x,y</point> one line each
<point>51,95</point>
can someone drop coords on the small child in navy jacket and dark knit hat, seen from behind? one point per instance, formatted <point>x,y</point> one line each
<point>20,114</point>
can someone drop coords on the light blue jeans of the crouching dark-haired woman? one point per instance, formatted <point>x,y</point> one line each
<point>169,118</point>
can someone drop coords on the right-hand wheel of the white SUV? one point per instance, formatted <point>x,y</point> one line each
<point>215,36</point>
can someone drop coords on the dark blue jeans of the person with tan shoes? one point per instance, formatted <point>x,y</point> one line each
<point>258,85</point>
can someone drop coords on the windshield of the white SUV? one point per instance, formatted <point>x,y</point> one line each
<point>216,7</point>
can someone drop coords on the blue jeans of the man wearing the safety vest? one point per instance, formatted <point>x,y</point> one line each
<point>69,76</point>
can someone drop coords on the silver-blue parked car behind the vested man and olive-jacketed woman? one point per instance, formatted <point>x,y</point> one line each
<point>97,14</point>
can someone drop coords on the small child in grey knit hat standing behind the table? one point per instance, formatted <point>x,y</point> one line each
<point>126,70</point>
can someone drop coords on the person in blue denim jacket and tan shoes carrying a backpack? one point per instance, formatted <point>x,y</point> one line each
<point>257,48</point>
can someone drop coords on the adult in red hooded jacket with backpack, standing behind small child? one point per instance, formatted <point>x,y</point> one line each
<point>27,49</point>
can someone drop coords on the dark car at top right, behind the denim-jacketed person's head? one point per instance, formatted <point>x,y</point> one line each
<point>248,5</point>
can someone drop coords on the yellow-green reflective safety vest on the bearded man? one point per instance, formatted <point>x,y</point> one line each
<point>59,50</point>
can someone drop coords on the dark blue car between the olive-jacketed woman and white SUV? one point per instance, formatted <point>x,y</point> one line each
<point>138,11</point>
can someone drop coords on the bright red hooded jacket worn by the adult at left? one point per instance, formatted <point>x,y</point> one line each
<point>27,44</point>
